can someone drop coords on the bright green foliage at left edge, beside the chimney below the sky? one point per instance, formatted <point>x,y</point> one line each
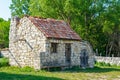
<point>4,33</point>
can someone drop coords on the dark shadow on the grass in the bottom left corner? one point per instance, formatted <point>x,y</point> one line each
<point>8,76</point>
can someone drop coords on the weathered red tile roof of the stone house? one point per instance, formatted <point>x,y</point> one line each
<point>52,28</point>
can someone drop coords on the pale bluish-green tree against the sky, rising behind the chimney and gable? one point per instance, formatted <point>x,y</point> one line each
<point>20,7</point>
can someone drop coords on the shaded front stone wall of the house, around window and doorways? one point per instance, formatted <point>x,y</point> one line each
<point>59,59</point>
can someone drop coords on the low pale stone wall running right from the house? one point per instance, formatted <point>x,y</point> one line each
<point>111,60</point>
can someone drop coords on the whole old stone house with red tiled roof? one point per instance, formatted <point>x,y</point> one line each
<point>43,43</point>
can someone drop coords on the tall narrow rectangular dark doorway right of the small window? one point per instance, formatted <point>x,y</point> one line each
<point>68,53</point>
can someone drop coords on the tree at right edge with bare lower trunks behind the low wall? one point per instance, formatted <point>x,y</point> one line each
<point>111,27</point>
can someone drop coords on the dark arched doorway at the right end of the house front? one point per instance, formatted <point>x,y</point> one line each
<point>84,58</point>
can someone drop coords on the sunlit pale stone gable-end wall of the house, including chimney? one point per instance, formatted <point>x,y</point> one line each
<point>26,45</point>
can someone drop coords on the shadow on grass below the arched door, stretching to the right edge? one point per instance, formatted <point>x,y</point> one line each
<point>92,70</point>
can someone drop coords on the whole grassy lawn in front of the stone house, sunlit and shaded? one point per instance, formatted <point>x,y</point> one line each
<point>75,73</point>
